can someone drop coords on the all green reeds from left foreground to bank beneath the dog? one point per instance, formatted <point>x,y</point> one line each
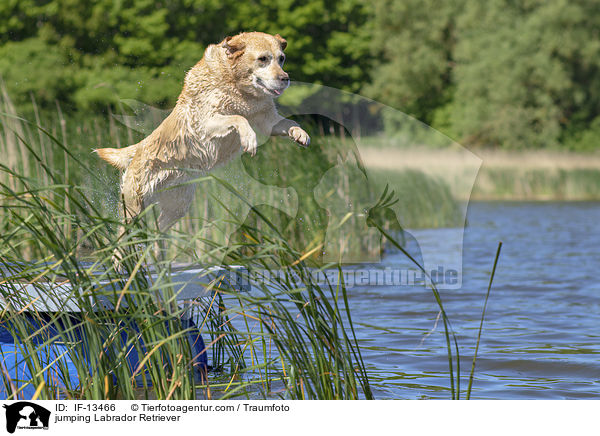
<point>59,219</point>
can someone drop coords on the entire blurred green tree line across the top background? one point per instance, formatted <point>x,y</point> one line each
<point>507,73</point>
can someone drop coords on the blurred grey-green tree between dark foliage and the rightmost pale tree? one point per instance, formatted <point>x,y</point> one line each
<point>413,41</point>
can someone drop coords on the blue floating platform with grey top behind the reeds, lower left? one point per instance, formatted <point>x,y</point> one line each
<point>36,310</point>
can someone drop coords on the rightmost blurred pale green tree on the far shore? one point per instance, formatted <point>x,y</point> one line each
<point>527,71</point>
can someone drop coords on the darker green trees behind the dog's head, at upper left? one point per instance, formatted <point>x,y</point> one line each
<point>106,50</point>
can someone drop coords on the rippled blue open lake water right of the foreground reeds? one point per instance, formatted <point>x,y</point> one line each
<point>541,336</point>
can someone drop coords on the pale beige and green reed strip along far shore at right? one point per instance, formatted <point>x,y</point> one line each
<point>504,175</point>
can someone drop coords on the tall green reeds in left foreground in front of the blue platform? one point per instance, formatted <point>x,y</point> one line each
<point>299,325</point>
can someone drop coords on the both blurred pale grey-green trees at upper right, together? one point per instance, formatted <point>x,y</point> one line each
<point>507,73</point>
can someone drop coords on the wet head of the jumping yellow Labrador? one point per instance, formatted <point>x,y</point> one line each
<point>256,60</point>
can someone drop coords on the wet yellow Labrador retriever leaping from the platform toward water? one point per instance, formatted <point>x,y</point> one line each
<point>227,97</point>
